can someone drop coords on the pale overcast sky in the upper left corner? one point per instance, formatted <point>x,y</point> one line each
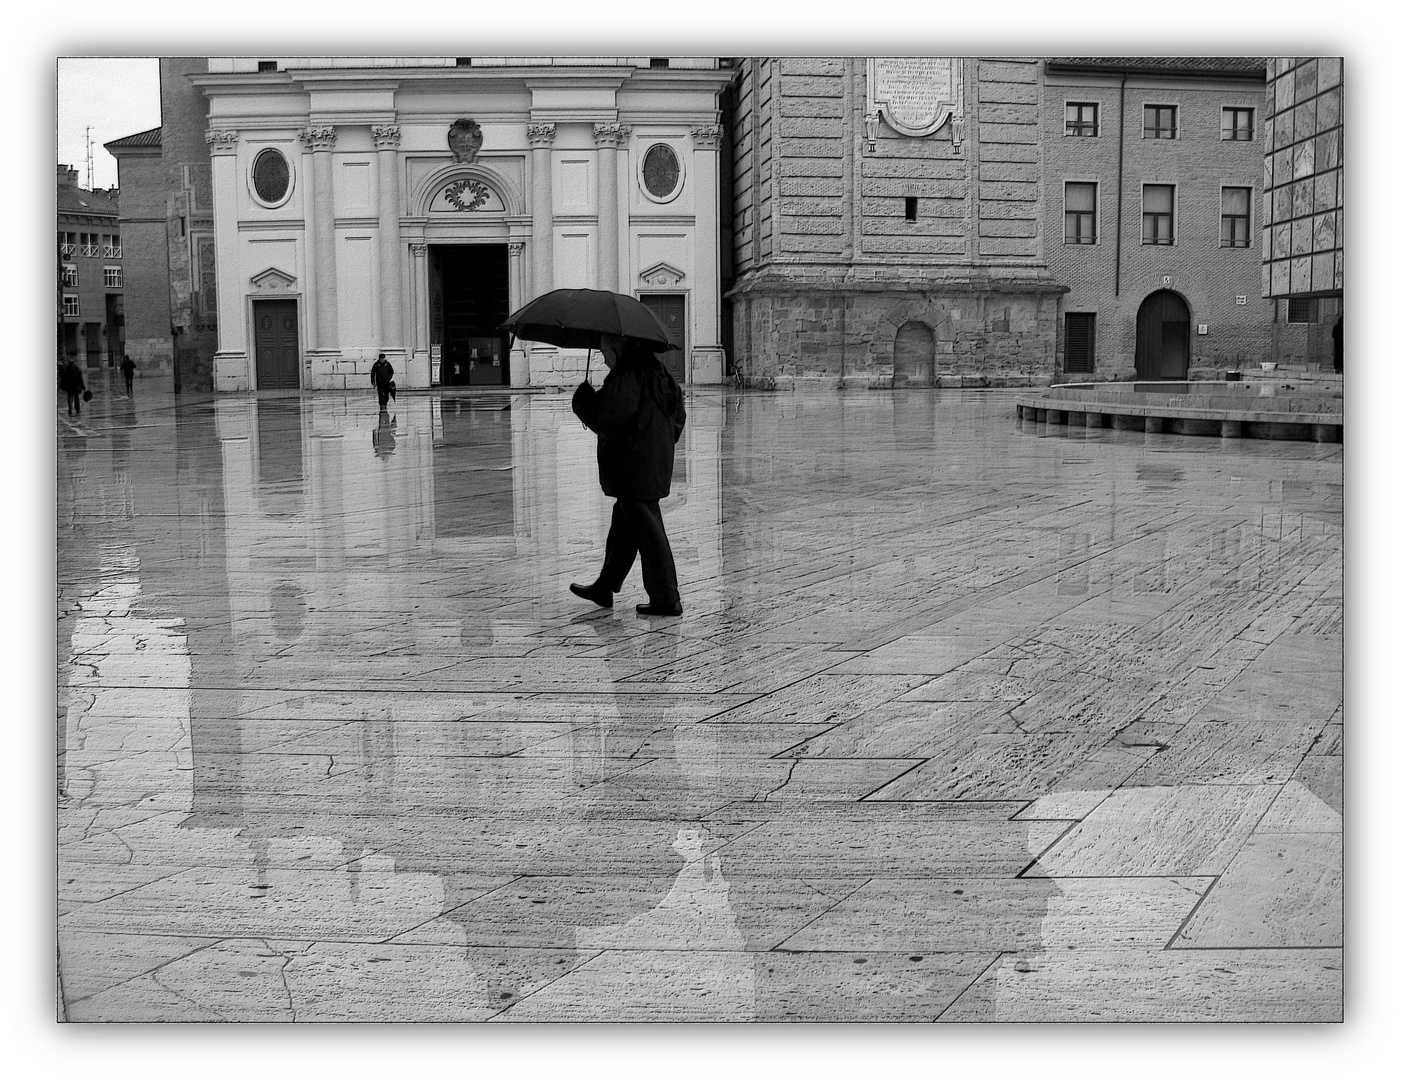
<point>114,96</point>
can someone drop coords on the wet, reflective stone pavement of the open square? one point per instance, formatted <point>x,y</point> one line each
<point>966,721</point>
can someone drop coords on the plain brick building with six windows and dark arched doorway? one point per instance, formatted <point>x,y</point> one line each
<point>1152,205</point>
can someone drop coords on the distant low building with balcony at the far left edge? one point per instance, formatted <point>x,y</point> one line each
<point>90,272</point>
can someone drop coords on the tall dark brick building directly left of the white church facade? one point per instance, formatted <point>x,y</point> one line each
<point>169,222</point>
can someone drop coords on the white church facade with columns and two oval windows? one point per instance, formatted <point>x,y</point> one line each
<point>408,205</point>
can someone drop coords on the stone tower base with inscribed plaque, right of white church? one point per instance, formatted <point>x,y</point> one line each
<point>888,223</point>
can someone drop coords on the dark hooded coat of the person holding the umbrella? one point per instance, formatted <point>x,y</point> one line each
<point>638,415</point>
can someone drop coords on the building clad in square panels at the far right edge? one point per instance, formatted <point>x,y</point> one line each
<point>1302,207</point>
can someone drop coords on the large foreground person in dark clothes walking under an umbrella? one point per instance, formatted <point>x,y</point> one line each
<point>638,415</point>
